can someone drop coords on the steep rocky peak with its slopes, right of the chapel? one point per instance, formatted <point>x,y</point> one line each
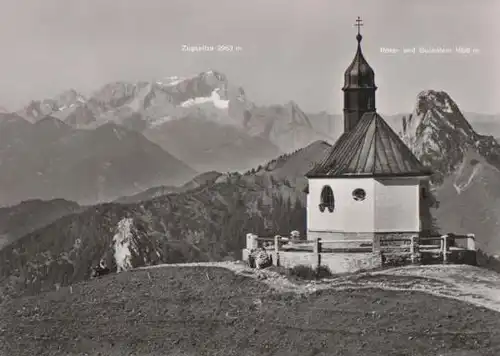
<point>466,167</point>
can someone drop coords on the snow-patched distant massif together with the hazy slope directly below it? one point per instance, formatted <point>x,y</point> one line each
<point>203,120</point>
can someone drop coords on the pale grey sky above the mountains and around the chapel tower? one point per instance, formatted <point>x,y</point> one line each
<point>290,49</point>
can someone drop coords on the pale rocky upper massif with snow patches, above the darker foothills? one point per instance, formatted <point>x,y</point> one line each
<point>203,97</point>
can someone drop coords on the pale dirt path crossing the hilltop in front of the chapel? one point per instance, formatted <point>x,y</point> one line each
<point>474,285</point>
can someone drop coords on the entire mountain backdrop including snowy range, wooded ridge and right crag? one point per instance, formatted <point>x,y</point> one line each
<point>163,210</point>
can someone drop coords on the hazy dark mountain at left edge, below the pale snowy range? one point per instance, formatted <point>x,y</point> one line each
<point>49,159</point>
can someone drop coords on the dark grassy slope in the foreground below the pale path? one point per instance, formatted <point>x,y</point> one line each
<point>213,311</point>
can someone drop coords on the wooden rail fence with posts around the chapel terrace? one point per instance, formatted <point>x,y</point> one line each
<point>411,246</point>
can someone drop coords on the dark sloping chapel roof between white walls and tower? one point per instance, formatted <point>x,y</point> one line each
<point>370,149</point>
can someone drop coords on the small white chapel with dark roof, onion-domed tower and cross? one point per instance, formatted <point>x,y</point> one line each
<point>369,185</point>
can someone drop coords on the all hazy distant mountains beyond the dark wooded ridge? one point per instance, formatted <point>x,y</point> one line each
<point>203,121</point>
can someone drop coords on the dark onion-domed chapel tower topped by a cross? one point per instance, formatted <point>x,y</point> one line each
<point>359,87</point>
